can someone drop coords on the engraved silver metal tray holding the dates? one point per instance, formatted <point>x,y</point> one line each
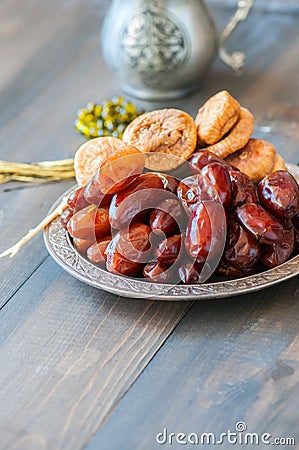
<point>61,249</point>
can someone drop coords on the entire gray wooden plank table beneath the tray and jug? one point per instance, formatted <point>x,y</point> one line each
<point>83,368</point>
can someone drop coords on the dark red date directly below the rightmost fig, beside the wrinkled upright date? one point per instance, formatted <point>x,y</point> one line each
<point>243,189</point>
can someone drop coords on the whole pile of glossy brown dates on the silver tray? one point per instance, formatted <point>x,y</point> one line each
<point>210,220</point>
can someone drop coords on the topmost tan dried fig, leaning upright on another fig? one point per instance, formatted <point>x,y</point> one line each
<point>216,117</point>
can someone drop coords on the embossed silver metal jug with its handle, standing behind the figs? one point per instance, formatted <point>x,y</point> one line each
<point>161,49</point>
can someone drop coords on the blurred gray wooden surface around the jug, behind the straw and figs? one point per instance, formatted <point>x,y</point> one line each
<point>52,65</point>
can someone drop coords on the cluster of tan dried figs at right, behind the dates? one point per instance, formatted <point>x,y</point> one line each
<point>225,128</point>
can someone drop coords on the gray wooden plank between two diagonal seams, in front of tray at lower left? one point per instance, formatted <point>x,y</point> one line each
<point>68,353</point>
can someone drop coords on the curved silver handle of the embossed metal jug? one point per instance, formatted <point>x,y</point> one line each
<point>236,59</point>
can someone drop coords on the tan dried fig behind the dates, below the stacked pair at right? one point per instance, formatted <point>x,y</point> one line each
<point>256,159</point>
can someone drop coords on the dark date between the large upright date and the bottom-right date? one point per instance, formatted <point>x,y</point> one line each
<point>242,250</point>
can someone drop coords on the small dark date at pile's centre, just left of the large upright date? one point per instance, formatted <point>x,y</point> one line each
<point>168,218</point>
